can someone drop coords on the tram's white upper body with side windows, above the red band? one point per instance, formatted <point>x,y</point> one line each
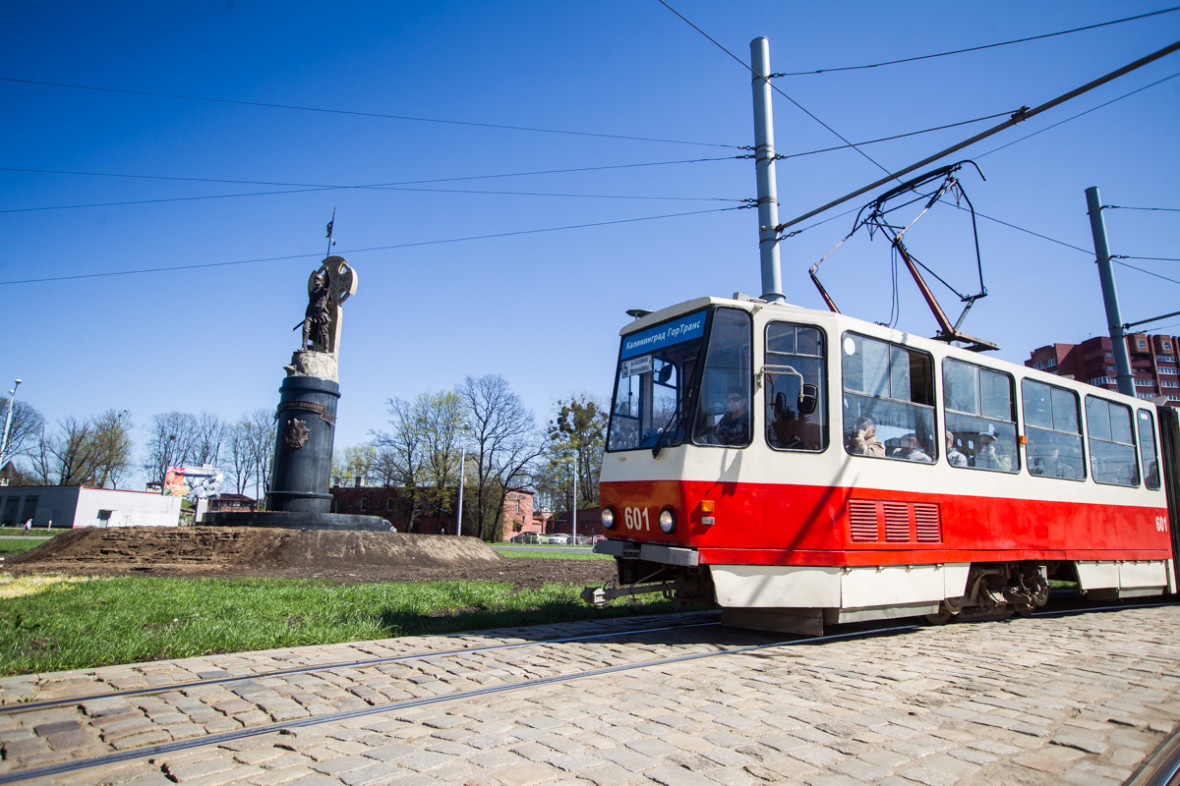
<point>1050,422</point>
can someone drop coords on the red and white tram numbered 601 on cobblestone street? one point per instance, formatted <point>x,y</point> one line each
<point>802,468</point>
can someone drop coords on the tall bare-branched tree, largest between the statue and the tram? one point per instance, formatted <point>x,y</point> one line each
<point>507,444</point>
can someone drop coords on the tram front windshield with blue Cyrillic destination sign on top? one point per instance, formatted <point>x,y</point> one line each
<point>657,368</point>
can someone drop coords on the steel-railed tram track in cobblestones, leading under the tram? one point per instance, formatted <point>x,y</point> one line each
<point>238,708</point>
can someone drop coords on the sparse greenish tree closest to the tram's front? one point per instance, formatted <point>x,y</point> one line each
<point>578,436</point>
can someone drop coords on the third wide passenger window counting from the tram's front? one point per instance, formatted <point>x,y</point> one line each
<point>1054,431</point>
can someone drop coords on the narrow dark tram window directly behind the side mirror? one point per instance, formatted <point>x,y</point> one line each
<point>796,388</point>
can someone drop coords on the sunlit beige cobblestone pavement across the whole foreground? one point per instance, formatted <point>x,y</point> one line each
<point>1078,700</point>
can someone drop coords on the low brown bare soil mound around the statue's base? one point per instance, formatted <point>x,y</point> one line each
<point>238,552</point>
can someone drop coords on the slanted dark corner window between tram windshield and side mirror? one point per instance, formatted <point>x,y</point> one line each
<point>725,401</point>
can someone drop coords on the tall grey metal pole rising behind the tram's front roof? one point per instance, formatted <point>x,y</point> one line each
<point>764,168</point>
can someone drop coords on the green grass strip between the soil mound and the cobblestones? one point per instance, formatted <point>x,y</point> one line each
<point>51,624</point>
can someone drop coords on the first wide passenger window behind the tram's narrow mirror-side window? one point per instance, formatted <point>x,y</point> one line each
<point>889,397</point>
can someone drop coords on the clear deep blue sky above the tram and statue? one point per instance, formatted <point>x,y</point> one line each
<point>510,89</point>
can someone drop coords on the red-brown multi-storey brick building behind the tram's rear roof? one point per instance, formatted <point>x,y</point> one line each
<point>1153,364</point>
